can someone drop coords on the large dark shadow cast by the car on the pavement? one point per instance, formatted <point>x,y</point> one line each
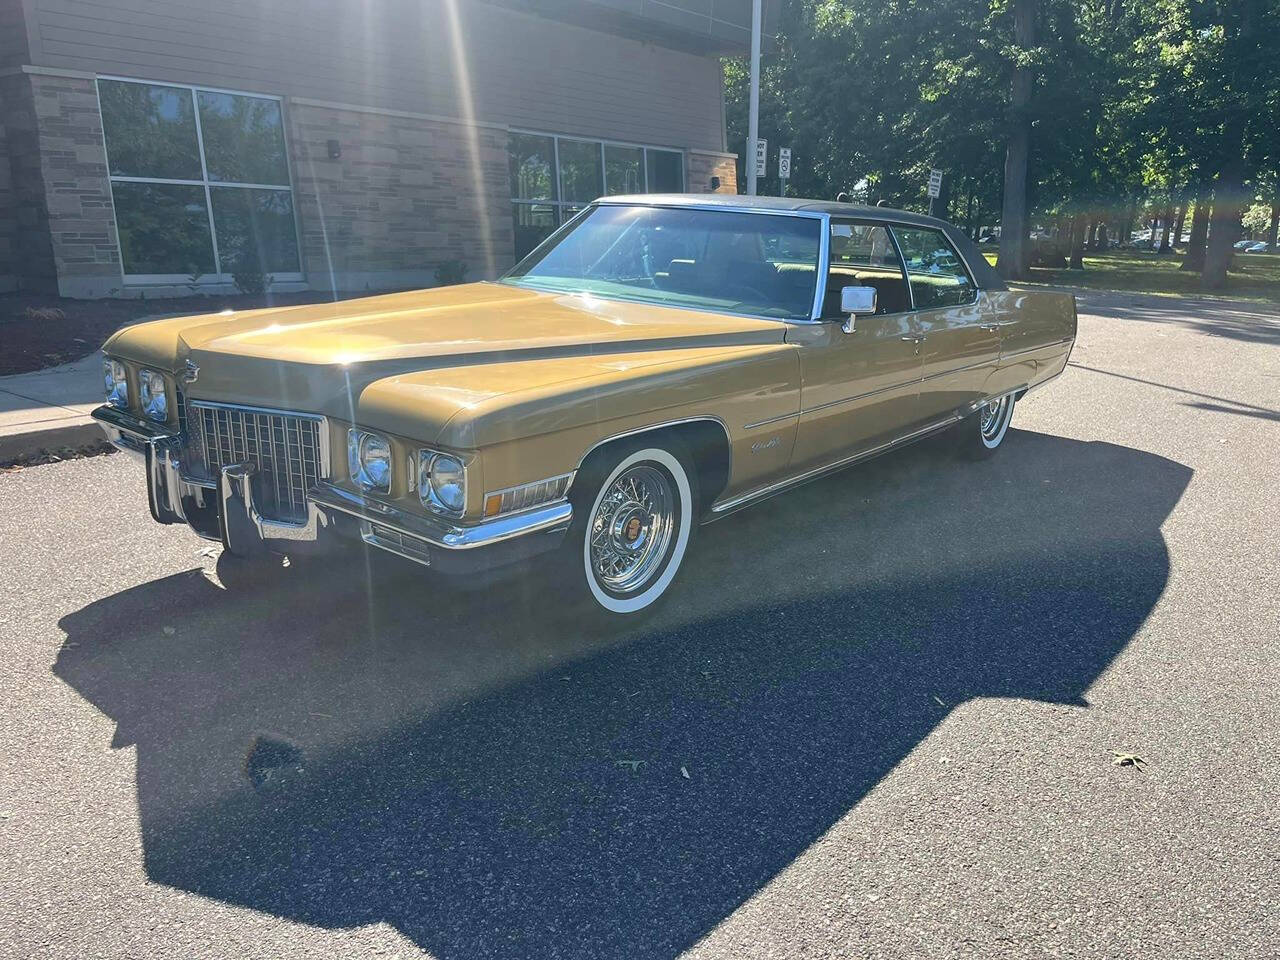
<point>496,784</point>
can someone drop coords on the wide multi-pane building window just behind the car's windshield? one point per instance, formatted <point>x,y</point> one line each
<point>552,179</point>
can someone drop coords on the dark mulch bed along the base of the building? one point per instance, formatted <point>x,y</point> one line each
<point>39,332</point>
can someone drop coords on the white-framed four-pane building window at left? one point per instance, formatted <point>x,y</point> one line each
<point>200,181</point>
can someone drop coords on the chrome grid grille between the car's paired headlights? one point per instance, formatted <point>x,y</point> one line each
<point>286,450</point>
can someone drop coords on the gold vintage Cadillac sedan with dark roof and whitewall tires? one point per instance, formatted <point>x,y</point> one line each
<point>656,364</point>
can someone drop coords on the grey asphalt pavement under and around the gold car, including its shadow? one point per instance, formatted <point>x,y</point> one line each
<point>879,717</point>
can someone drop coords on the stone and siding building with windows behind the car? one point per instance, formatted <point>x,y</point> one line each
<point>156,148</point>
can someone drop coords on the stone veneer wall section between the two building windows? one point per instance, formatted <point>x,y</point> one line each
<point>400,200</point>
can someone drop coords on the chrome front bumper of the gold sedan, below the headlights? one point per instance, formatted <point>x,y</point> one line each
<point>226,510</point>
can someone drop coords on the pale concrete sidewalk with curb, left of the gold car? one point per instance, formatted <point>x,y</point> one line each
<point>48,410</point>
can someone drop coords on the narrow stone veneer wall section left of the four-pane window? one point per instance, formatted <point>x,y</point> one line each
<point>77,193</point>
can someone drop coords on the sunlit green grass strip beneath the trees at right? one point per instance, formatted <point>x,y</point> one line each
<point>1255,278</point>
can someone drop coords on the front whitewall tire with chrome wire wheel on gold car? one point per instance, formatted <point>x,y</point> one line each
<point>634,518</point>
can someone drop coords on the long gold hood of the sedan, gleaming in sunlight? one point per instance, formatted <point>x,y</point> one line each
<point>324,358</point>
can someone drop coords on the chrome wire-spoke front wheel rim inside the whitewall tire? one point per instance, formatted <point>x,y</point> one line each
<point>633,529</point>
